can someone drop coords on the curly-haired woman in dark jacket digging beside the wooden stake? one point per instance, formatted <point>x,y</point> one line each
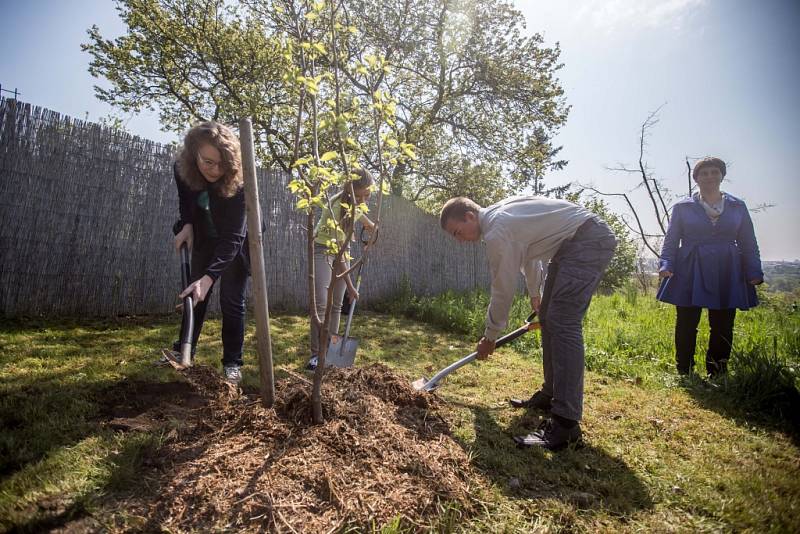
<point>208,173</point>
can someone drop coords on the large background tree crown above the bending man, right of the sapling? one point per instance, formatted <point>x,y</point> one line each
<point>470,87</point>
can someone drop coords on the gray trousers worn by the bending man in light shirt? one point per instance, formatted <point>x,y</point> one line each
<point>572,277</point>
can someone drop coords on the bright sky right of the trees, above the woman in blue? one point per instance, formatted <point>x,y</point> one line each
<point>727,72</point>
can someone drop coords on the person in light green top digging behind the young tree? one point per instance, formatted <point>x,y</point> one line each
<point>335,223</point>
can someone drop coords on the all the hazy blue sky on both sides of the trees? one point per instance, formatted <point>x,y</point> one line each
<point>725,73</point>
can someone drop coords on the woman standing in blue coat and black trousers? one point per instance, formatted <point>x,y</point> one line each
<point>710,260</point>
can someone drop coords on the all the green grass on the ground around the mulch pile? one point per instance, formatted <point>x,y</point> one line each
<point>661,455</point>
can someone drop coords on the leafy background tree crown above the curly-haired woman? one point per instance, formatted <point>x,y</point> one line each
<point>190,60</point>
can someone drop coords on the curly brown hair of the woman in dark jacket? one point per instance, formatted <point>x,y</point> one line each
<point>223,139</point>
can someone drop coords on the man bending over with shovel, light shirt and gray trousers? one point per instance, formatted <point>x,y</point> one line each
<point>521,233</point>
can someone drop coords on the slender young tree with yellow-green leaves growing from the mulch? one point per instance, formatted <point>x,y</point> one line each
<point>325,152</point>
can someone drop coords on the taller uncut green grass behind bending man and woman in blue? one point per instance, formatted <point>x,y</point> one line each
<point>630,335</point>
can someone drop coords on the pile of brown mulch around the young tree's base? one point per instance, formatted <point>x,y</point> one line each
<point>383,452</point>
